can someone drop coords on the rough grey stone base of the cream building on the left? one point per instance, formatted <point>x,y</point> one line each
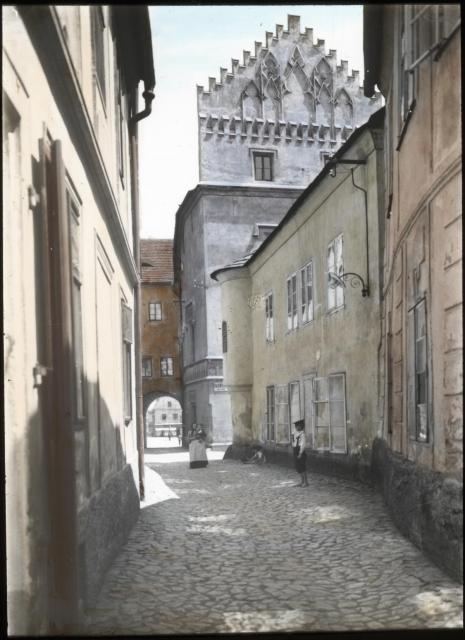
<point>104,526</point>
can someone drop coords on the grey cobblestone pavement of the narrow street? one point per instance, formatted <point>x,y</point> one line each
<point>238,548</point>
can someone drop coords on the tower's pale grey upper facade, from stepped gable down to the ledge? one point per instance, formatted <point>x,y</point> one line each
<point>290,99</point>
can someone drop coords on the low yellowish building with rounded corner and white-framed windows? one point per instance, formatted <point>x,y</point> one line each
<point>300,317</point>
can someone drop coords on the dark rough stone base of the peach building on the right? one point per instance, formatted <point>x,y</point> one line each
<point>426,506</point>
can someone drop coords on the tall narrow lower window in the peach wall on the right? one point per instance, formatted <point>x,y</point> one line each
<point>418,374</point>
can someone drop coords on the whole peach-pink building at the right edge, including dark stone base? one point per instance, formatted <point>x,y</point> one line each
<point>412,53</point>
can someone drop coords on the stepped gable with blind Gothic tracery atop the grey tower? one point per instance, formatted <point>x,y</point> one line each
<point>288,89</point>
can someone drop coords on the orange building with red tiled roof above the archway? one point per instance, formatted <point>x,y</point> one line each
<point>160,323</point>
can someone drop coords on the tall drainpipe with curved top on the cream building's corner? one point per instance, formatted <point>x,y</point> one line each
<point>148,97</point>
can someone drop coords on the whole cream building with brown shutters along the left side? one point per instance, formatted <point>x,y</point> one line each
<point>70,245</point>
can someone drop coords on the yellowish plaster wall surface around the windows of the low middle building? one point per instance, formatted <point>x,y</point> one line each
<point>343,341</point>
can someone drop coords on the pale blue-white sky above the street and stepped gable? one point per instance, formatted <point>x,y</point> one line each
<point>190,44</point>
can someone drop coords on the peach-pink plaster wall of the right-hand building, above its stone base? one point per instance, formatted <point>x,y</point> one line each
<point>423,234</point>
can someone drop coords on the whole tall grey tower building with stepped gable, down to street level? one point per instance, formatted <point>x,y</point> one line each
<point>265,131</point>
